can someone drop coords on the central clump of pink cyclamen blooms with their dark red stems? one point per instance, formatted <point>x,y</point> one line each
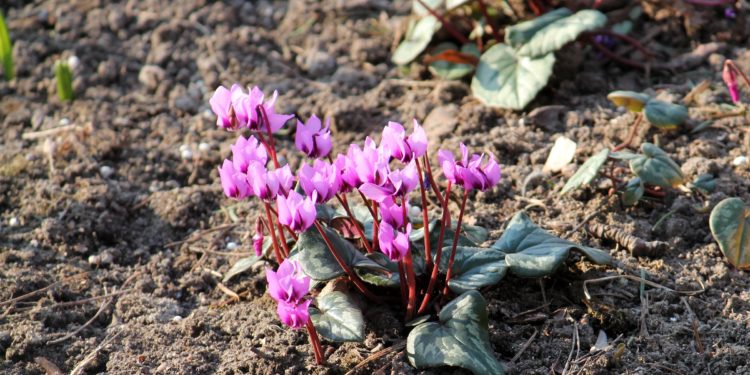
<point>367,240</point>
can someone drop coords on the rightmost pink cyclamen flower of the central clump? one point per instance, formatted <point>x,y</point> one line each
<point>471,173</point>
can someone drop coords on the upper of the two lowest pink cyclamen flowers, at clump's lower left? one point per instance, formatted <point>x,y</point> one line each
<point>287,284</point>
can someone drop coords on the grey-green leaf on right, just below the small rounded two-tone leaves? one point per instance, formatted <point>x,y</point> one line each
<point>655,167</point>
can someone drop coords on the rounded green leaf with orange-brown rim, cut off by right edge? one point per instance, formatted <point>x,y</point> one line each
<point>730,226</point>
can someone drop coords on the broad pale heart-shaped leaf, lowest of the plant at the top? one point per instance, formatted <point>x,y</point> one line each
<point>504,79</point>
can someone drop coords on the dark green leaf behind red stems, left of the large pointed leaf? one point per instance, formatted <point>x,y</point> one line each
<point>473,268</point>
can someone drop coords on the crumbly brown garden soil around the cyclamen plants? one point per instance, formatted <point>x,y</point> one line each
<point>113,197</point>
